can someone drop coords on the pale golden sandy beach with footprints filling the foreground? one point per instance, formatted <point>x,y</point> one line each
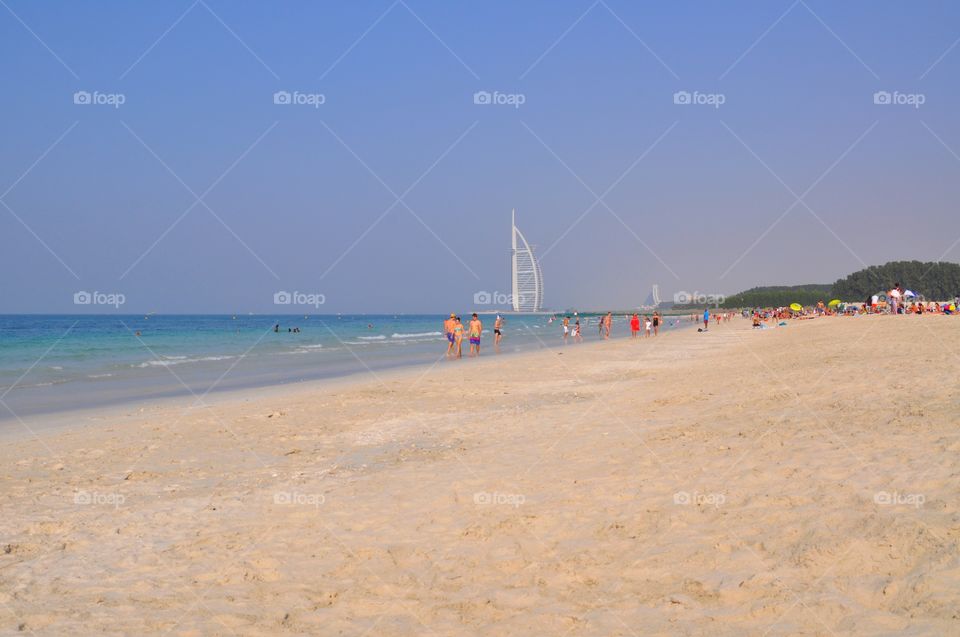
<point>793,481</point>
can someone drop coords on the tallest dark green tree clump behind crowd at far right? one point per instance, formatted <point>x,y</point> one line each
<point>935,281</point>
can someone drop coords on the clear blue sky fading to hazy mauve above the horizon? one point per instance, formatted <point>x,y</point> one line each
<point>204,156</point>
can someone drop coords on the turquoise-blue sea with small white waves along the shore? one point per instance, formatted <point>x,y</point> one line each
<point>58,363</point>
